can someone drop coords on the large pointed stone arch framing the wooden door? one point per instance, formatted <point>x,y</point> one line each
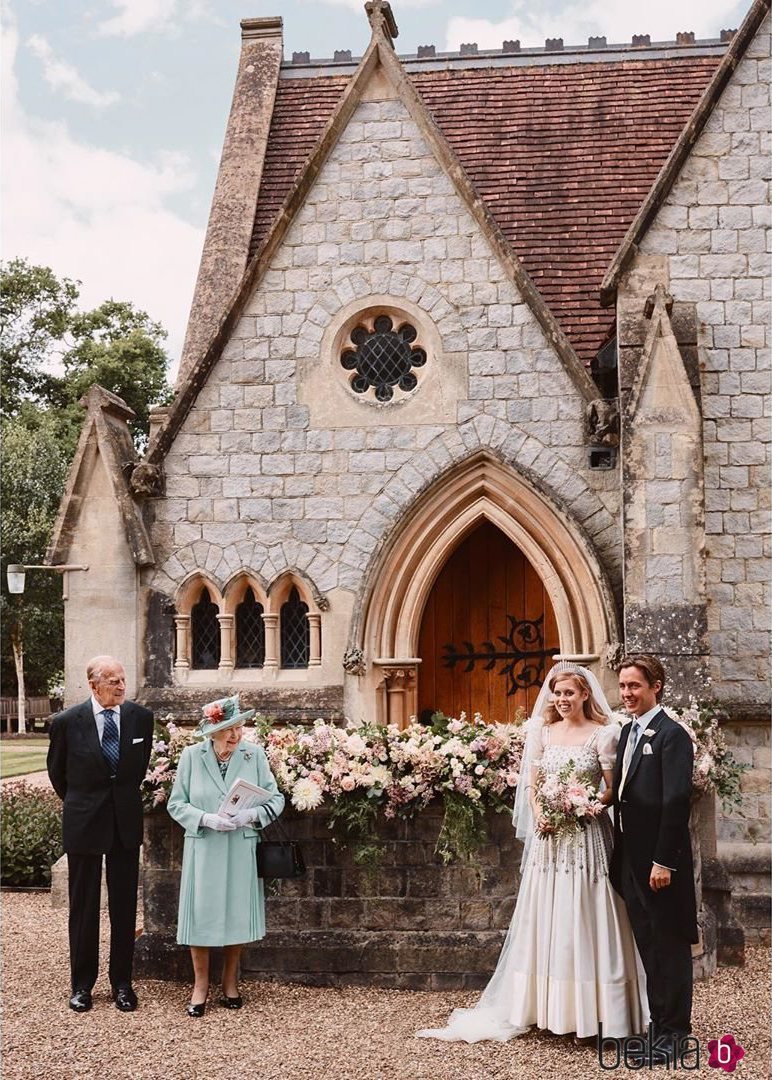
<point>401,578</point>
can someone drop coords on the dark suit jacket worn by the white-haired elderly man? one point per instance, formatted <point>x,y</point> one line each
<point>94,805</point>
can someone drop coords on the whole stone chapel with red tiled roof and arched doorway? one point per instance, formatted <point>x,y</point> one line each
<point>477,374</point>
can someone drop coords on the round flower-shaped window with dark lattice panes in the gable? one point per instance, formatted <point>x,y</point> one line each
<point>382,358</point>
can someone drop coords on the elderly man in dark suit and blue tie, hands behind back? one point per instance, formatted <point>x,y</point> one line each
<point>98,760</point>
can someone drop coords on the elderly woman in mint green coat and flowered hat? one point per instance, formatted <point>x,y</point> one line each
<point>221,896</point>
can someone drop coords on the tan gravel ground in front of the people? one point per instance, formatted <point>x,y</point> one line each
<point>289,1033</point>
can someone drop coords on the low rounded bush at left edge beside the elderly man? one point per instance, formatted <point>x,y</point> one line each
<point>32,835</point>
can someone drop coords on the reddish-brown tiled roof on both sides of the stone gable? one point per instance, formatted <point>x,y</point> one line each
<point>563,155</point>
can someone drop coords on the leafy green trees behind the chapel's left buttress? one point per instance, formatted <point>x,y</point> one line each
<point>51,355</point>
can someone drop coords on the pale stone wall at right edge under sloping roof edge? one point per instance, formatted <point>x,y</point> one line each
<point>714,234</point>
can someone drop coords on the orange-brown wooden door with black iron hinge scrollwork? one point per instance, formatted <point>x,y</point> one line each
<point>487,633</point>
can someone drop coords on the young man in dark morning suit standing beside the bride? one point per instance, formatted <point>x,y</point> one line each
<point>652,866</point>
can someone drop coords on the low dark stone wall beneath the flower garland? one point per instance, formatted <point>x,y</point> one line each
<point>417,925</point>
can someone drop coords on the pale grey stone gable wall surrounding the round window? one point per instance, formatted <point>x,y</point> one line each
<point>264,476</point>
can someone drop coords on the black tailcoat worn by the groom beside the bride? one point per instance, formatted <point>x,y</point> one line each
<point>652,821</point>
